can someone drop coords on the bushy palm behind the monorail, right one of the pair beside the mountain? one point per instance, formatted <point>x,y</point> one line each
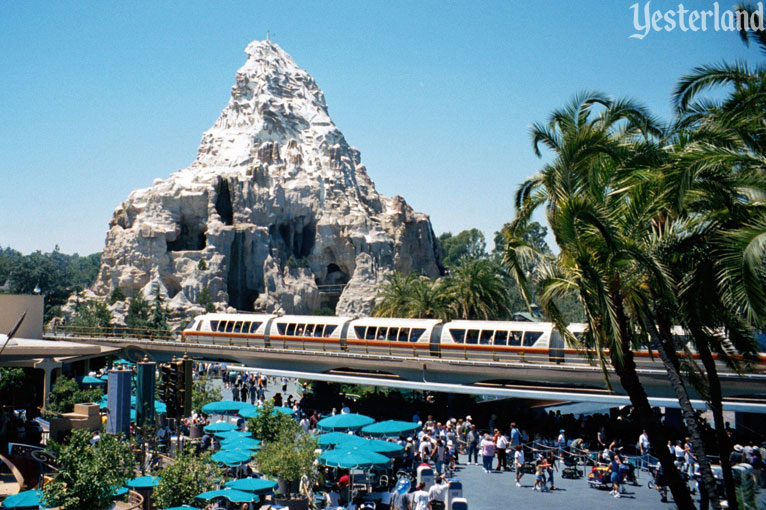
<point>477,289</point>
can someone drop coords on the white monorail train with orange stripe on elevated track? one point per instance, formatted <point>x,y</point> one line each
<point>500,341</point>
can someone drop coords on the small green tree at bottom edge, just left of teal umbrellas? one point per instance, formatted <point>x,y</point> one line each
<point>190,474</point>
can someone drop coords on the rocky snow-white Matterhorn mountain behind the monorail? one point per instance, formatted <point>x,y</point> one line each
<point>276,213</point>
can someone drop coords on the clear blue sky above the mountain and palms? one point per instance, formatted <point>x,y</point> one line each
<point>101,98</point>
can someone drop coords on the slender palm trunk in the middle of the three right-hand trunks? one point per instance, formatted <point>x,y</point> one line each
<point>664,346</point>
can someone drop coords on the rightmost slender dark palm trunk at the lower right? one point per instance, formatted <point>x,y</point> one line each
<point>716,406</point>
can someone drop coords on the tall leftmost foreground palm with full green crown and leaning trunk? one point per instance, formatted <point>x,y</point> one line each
<point>599,216</point>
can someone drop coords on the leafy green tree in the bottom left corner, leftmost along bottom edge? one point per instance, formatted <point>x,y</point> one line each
<point>88,474</point>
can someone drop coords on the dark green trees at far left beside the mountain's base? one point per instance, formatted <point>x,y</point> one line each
<point>56,274</point>
